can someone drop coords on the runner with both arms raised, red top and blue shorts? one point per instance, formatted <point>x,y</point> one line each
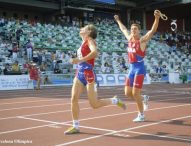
<point>136,53</point>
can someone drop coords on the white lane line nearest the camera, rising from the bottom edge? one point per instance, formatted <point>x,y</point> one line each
<point>123,130</point>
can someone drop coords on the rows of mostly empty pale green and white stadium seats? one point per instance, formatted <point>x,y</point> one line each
<point>111,45</point>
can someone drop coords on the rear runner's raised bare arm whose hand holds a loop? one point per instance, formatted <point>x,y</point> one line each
<point>151,32</point>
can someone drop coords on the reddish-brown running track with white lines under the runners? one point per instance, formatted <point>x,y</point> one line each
<point>39,118</point>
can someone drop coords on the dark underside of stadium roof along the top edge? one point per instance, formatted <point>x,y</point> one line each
<point>85,4</point>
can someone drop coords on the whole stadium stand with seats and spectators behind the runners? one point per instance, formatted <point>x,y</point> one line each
<point>54,44</point>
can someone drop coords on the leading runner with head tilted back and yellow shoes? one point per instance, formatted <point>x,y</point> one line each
<point>86,77</point>
